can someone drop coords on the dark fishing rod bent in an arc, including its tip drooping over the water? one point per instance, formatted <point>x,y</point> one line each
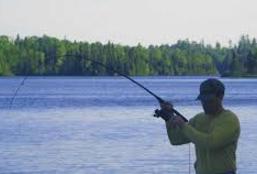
<point>111,69</point>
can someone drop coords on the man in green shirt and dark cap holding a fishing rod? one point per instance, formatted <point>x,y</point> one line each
<point>214,132</point>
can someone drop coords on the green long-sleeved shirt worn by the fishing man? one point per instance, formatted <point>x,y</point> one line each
<point>215,141</point>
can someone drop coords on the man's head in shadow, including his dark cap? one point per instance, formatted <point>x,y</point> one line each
<point>211,95</point>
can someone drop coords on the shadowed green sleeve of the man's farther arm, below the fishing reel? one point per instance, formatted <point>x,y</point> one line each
<point>176,135</point>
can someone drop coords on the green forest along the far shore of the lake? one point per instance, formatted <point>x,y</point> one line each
<point>45,56</point>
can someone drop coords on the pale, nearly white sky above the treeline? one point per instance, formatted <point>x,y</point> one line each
<point>129,22</point>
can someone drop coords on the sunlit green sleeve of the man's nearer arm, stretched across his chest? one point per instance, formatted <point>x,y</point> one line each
<point>224,132</point>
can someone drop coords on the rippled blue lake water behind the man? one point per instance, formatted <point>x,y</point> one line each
<point>105,124</point>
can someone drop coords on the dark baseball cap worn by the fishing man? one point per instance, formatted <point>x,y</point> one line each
<point>211,88</point>
